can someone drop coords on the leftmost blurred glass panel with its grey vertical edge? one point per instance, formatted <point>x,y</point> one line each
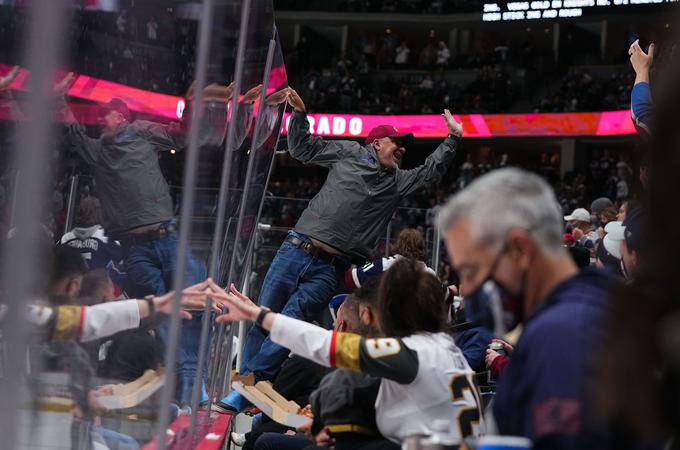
<point>27,174</point>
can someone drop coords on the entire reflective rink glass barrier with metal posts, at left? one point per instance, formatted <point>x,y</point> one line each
<point>90,217</point>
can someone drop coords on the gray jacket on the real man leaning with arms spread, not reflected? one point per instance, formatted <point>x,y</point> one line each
<point>358,199</point>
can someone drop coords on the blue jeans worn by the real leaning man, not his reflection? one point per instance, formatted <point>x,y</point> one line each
<point>297,285</point>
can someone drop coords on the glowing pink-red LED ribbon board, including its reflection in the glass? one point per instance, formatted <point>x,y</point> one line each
<point>168,107</point>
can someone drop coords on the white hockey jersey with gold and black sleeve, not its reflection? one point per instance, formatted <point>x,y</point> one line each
<point>424,376</point>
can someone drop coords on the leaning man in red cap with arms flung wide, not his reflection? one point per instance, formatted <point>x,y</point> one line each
<point>342,224</point>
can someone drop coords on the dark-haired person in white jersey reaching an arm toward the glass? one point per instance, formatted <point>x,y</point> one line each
<point>424,375</point>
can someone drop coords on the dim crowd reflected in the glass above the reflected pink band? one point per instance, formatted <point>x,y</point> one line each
<point>144,46</point>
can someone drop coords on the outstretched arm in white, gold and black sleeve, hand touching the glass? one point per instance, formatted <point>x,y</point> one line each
<point>386,358</point>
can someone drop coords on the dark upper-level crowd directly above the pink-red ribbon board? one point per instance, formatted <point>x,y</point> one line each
<point>384,75</point>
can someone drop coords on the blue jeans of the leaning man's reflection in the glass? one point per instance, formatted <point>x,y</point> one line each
<point>150,266</point>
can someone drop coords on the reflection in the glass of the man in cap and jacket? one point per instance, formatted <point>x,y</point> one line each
<point>137,205</point>
